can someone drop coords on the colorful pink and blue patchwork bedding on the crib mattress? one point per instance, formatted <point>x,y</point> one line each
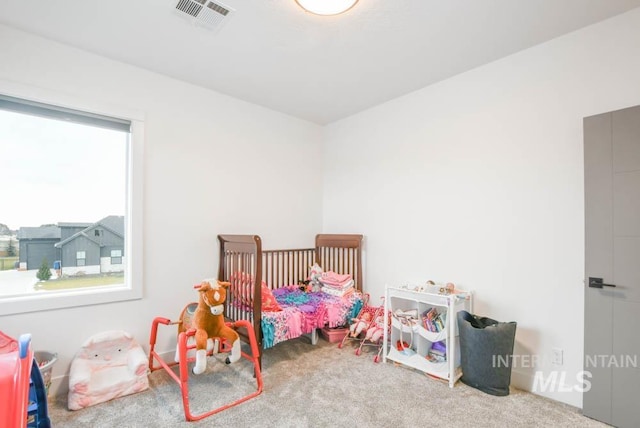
<point>302,312</point>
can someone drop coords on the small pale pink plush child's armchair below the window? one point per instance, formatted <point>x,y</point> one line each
<point>109,365</point>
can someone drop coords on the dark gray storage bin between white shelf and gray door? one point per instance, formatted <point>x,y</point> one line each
<point>486,350</point>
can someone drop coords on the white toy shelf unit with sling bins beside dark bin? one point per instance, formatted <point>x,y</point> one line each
<point>408,298</point>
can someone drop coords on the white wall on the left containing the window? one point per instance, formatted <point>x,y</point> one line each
<point>196,141</point>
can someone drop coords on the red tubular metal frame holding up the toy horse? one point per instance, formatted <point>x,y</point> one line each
<point>183,378</point>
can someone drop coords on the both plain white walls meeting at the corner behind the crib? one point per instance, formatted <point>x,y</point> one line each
<point>475,180</point>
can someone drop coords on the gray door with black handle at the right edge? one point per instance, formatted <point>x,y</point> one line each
<point>612,238</point>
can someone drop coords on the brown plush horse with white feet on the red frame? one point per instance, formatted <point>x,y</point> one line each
<point>208,321</point>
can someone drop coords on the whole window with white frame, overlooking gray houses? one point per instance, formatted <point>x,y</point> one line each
<point>52,143</point>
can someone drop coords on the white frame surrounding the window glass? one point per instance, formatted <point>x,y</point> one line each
<point>132,288</point>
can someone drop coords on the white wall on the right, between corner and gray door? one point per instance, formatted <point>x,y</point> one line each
<point>478,180</point>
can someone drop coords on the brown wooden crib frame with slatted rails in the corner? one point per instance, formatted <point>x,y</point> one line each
<point>243,254</point>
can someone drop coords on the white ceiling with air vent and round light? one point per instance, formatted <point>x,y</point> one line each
<point>321,69</point>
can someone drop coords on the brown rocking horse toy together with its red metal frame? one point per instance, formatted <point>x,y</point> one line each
<point>202,328</point>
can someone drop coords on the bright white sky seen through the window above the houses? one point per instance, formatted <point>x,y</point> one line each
<point>54,171</point>
